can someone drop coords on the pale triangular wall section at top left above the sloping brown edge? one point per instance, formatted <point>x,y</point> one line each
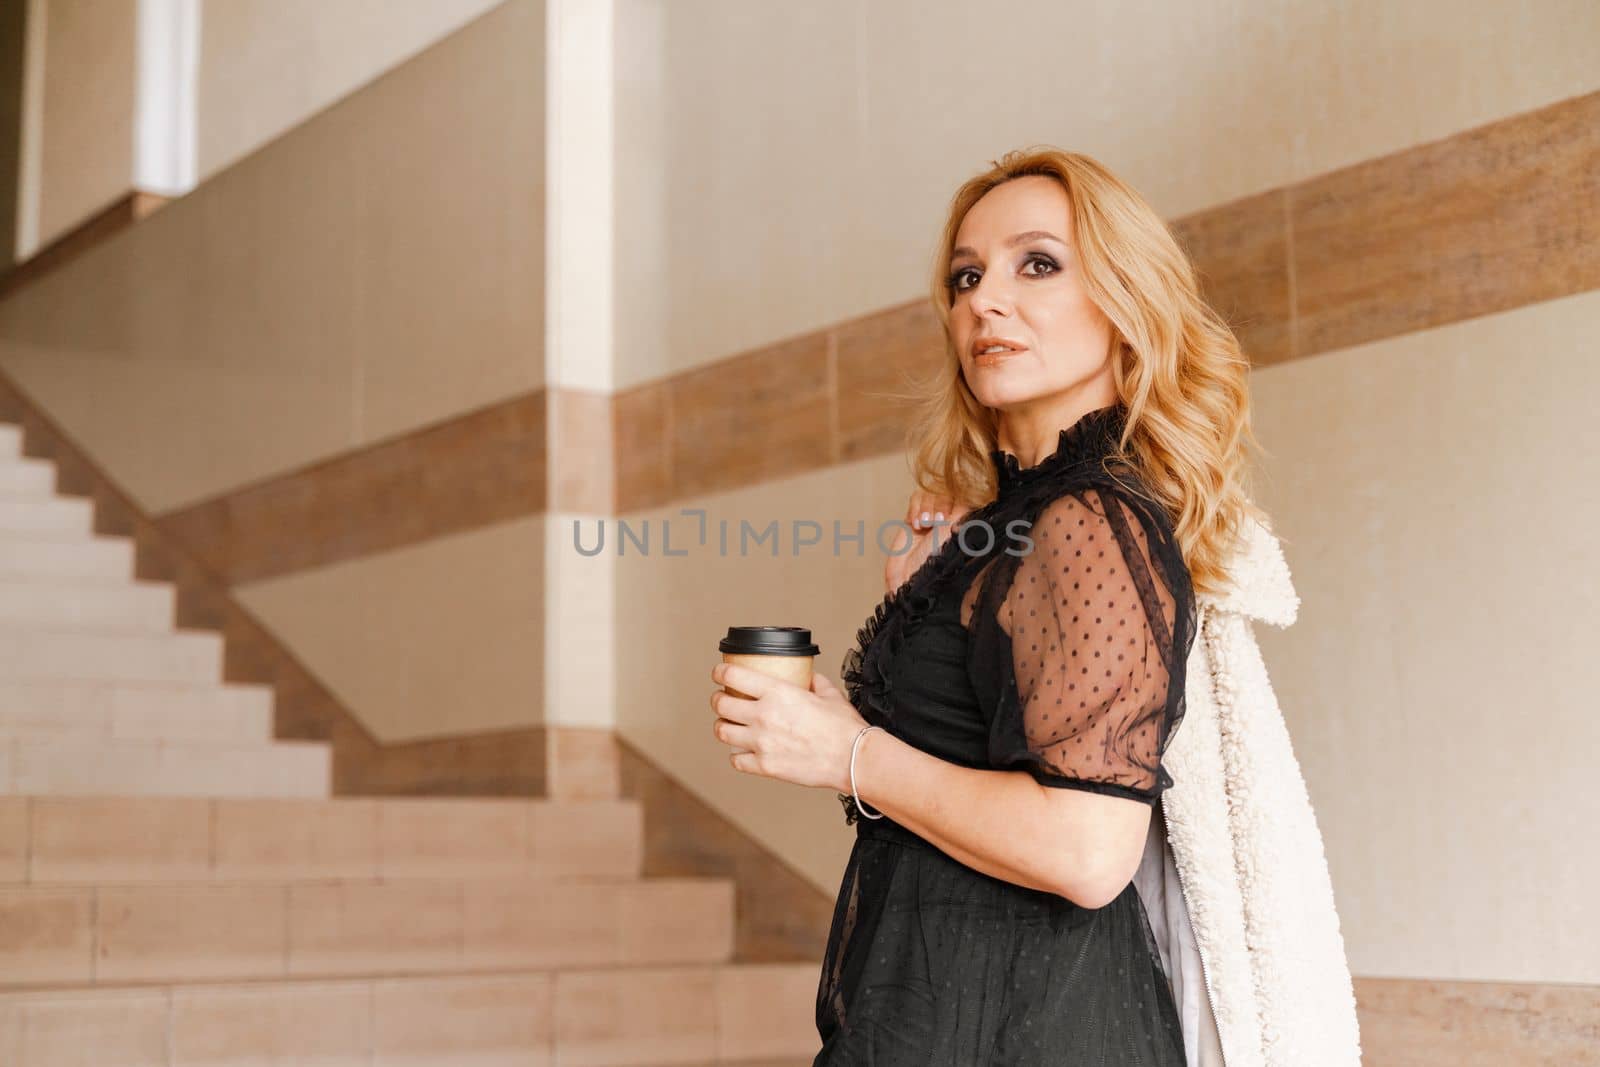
<point>270,65</point>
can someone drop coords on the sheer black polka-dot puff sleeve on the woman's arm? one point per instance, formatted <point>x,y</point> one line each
<point>1079,647</point>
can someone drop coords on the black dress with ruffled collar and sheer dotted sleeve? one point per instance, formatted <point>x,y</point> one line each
<point>1057,649</point>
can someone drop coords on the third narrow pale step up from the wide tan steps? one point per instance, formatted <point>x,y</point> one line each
<point>193,657</point>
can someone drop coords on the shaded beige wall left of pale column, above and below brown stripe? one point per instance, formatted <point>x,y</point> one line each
<point>375,271</point>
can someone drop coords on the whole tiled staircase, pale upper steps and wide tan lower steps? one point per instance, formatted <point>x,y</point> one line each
<point>178,889</point>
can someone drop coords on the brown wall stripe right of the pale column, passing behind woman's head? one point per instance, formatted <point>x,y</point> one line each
<point>1487,220</point>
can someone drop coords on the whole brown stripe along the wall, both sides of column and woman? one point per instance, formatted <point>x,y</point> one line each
<point>1482,222</point>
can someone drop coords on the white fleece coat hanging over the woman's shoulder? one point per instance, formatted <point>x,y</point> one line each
<point>1234,876</point>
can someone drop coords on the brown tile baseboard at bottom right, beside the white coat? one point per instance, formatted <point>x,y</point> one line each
<point>1410,1023</point>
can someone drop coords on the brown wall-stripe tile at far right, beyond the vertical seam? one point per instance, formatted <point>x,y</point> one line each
<point>1489,220</point>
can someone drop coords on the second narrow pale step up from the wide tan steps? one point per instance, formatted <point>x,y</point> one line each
<point>137,711</point>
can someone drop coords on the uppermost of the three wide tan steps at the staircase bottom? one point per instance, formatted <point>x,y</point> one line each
<point>121,841</point>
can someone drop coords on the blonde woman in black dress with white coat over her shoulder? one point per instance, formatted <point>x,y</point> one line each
<point>1010,705</point>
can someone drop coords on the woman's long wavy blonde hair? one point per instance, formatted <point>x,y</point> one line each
<point>1178,367</point>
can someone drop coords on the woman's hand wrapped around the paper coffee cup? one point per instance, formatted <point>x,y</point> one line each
<point>794,735</point>
